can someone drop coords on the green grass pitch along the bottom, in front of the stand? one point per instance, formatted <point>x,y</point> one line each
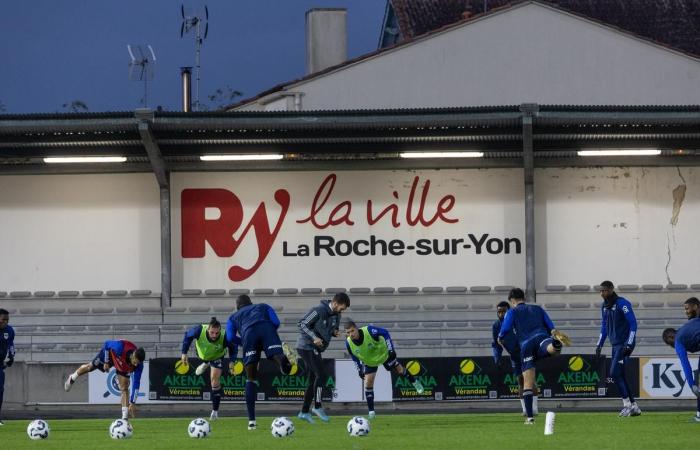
<point>573,431</point>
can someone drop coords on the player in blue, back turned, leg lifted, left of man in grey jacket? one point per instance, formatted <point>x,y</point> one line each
<point>257,326</point>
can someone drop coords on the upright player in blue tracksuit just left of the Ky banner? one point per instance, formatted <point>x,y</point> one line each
<point>620,325</point>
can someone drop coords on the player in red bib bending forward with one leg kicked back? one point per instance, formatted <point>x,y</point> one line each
<point>126,359</point>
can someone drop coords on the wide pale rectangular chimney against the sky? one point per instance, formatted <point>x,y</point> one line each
<point>326,38</point>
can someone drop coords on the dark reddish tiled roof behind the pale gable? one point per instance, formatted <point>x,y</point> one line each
<point>674,23</point>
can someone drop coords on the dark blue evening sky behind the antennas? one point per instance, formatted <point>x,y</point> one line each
<point>58,51</point>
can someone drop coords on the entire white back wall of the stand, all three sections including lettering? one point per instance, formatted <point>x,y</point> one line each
<point>83,232</point>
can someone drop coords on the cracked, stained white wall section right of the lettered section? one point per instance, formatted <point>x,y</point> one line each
<point>630,224</point>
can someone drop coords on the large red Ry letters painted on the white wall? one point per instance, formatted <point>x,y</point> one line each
<point>197,230</point>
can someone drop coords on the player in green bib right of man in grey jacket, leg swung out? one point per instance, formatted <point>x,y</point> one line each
<point>369,347</point>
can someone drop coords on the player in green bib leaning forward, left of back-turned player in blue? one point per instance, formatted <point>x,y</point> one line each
<point>211,346</point>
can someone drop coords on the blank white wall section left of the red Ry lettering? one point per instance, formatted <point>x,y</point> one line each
<point>75,232</point>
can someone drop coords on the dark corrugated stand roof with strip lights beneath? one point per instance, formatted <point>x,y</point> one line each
<point>369,139</point>
